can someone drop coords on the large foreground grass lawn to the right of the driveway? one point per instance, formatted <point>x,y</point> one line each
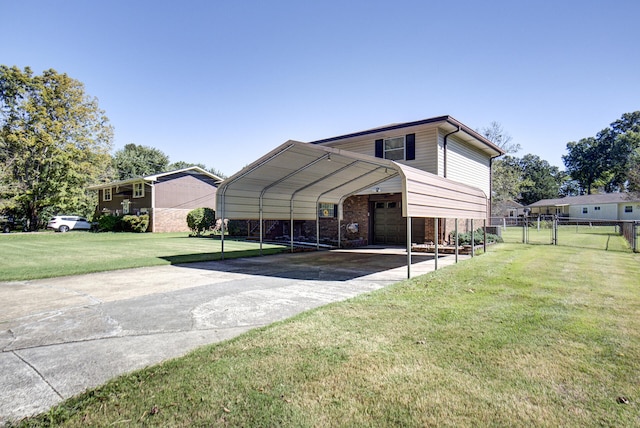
<point>521,336</point>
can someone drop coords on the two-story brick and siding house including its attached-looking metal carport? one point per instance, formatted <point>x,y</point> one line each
<point>446,150</point>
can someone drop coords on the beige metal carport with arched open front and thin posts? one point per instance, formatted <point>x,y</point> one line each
<point>290,181</point>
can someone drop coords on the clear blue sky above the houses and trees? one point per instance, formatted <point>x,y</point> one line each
<point>224,82</point>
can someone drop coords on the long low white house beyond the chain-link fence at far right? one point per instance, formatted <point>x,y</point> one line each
<point>607,206</point>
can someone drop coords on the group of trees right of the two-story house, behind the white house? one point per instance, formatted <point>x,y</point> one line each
<point>608,162</point>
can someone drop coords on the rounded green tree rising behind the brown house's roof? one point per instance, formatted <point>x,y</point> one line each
<point>138,161</point>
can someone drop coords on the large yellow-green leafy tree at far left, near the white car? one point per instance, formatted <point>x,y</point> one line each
<point>54,141</point>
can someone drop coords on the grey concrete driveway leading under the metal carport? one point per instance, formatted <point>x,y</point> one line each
<point>61,336</point>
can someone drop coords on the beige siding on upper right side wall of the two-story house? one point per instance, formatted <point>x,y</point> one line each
<point>467,165</point>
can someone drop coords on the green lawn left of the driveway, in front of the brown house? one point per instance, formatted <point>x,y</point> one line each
<point>47,254</point>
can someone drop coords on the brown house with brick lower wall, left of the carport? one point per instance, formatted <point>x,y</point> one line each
<point>166,197</point>
